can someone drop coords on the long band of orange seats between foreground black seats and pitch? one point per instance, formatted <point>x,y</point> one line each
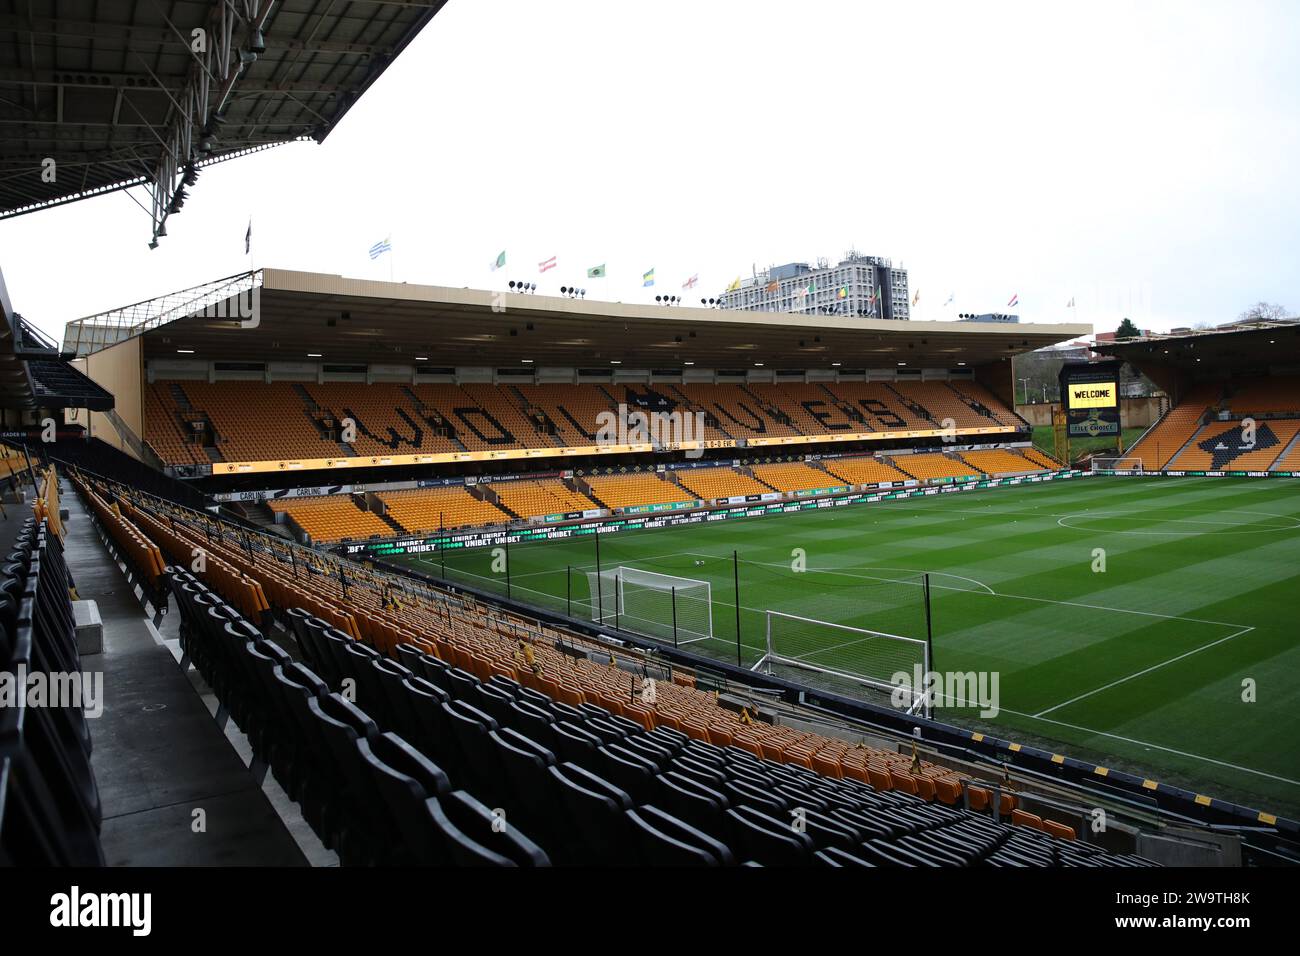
<point>385,612</point>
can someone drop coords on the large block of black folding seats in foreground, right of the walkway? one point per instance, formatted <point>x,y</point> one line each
<point>434,765</point>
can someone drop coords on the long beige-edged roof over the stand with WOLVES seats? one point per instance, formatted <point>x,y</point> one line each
<point>343,321</point>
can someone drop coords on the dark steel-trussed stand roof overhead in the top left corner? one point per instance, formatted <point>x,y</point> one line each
<point>119,94</point>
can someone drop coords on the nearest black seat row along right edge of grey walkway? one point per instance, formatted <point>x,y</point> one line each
<point>365,790</point>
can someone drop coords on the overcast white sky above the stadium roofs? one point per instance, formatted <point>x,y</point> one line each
<point>1141,158</point>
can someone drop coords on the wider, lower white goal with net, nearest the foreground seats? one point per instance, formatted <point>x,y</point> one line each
<point>848,656</point>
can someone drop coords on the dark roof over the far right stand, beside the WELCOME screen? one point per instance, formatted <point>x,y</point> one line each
<point>1241,347</point>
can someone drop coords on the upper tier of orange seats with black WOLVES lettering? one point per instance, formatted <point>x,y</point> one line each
<point>257,421</point>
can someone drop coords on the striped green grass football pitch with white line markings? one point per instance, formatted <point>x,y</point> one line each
<point>1147,625</point>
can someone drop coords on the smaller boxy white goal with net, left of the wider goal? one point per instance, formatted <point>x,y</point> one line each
<point>657,605</point>
